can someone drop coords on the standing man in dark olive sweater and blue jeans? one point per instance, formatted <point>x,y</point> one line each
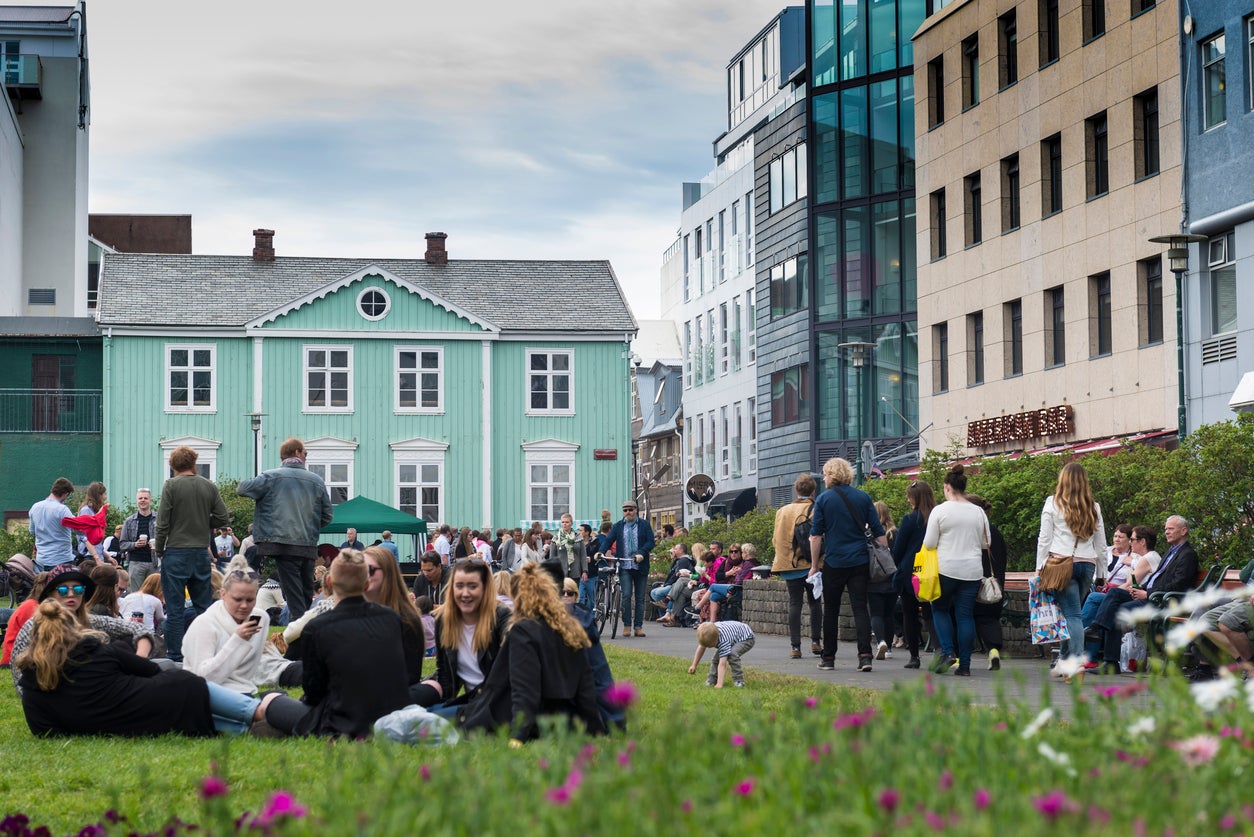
<point>191,508</point>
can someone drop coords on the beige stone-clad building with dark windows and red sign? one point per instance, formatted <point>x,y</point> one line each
<point>1049,154</point>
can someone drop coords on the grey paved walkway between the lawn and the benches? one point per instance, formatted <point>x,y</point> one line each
<point>1019,680</point>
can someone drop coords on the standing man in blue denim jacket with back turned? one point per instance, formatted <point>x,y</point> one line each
<point>293,508</point>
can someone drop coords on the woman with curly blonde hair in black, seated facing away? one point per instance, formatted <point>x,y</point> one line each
<point>544,668</point>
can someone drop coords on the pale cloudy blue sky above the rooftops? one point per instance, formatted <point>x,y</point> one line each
<point>554,130</point>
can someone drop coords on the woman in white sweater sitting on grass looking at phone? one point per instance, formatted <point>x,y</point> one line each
<point>228,643</point>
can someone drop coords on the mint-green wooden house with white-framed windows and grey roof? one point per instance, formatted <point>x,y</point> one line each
<point>460,391</point>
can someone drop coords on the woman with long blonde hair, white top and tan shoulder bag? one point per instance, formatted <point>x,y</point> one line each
<point>1072,525</point>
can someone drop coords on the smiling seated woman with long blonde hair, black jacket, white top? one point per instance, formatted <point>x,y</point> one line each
<point>468,638</point>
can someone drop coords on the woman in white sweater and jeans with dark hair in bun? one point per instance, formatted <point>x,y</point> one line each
<point>959,531</point>
